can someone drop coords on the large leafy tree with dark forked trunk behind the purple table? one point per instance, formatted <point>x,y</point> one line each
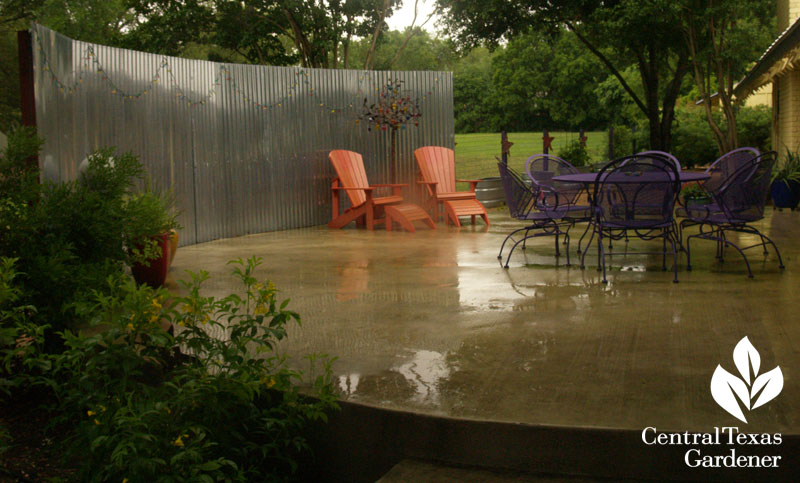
<point>649,36</point>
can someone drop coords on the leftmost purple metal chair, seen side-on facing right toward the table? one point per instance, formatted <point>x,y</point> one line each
<point>521,200</point>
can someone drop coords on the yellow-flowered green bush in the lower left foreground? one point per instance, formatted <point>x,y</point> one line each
<point>214,401</point>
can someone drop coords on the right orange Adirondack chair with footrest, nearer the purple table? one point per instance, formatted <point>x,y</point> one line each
<point>438,172</point>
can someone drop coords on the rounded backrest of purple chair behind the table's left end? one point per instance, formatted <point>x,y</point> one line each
<point>541,168</point>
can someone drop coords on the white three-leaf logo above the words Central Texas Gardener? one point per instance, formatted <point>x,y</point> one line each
<point>726,388</point>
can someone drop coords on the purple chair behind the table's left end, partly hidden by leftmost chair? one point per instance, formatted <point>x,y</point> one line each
<point>555,194</point>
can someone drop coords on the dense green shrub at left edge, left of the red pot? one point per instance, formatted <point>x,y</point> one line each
<point>68,238</point>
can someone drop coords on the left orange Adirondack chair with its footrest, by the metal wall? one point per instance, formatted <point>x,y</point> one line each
<point>365,208</point>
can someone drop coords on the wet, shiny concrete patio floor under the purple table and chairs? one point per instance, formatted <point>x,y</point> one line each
<point>431,323</point>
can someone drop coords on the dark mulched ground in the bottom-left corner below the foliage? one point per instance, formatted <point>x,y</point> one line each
<point>35,452</point>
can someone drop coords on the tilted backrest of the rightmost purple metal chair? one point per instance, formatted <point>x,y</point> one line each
<point>743,194</point>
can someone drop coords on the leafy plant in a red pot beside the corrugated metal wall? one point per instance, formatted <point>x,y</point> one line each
<point>151,219</point>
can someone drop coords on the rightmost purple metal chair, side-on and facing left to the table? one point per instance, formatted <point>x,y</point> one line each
<point>738,202</point>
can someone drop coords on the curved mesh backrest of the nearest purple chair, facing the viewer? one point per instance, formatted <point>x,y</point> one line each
<point>637,191</point>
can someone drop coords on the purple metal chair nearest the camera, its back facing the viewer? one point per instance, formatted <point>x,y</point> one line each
<point>636,195</point>
